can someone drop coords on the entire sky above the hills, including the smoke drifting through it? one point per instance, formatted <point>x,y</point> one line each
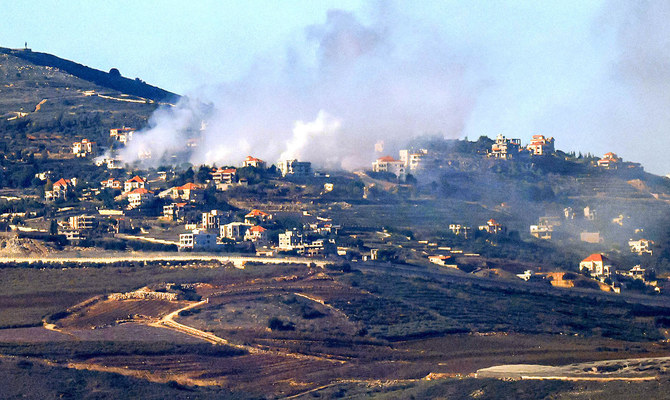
<point>592,74</point>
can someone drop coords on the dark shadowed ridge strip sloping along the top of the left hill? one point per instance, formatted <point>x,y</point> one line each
<point>112,79</point>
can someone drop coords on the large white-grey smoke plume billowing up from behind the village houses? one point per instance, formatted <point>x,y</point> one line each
<point>355,84</point>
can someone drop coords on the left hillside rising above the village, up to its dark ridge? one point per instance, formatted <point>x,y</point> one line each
<point>47,102</point>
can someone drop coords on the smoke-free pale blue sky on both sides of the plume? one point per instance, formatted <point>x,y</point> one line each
<point>569,69</point>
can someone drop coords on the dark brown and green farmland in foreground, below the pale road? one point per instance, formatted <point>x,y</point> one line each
<point>377,330</point>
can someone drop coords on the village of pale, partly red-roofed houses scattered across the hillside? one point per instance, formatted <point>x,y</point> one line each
<point>142,207</point>
